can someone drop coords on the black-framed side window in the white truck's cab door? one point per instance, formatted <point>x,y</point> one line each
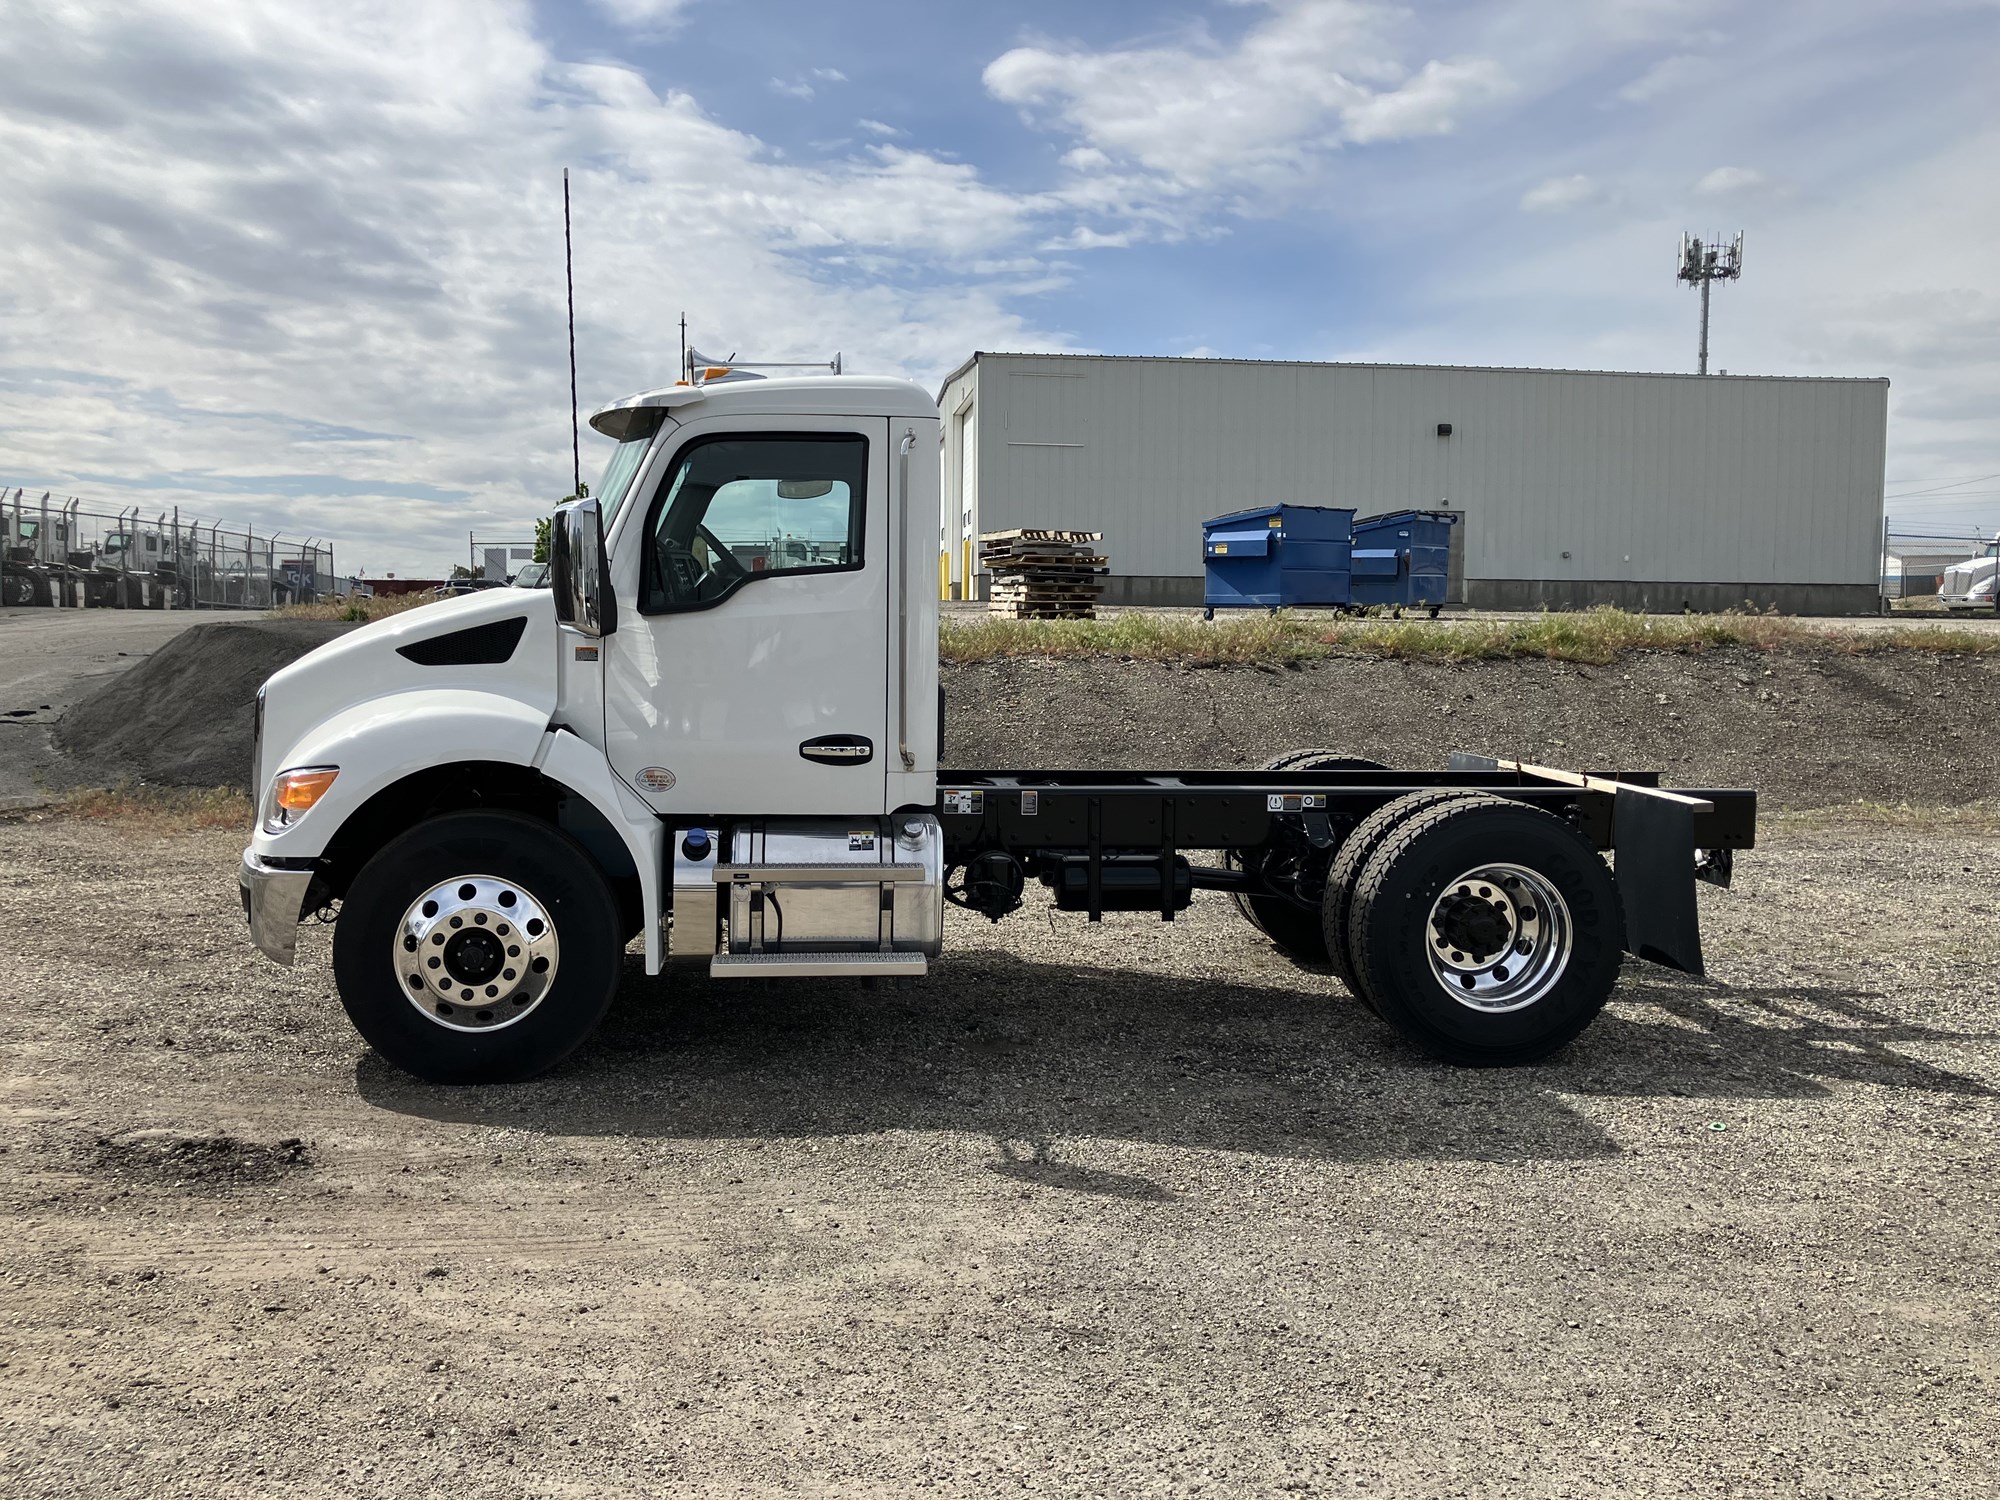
<point>735,511</point>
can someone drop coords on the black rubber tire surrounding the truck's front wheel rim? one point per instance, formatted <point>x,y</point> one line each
<point>553,871</point>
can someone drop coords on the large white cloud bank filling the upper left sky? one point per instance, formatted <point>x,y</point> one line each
<point>235,231</point>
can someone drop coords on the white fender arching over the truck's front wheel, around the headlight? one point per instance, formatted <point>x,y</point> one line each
<point>381,741</point>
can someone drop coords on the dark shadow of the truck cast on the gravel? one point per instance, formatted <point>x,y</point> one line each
<point>1033,1053</point>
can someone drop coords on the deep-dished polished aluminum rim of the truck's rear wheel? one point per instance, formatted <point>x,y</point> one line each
<point>1499,939</point>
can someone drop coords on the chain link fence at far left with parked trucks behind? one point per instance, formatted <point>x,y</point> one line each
<point>63,555</point>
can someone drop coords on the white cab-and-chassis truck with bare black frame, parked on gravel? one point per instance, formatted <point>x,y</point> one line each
<point>721,729</point>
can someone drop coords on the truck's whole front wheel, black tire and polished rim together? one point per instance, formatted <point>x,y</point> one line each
<point>479,949</point>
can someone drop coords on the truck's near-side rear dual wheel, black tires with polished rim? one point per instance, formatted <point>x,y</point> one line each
<point>1561,987</point>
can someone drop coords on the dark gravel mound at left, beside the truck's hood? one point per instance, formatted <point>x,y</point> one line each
<point>185,717</point>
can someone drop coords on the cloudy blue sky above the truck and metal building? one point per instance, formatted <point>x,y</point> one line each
<point>303,265</point>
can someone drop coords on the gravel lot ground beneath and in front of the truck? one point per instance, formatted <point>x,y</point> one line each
<point>1093,1211</point>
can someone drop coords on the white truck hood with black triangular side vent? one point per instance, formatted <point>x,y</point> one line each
<point>499,641</point>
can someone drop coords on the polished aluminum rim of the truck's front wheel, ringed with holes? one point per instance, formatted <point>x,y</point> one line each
<point>477,955</point>
